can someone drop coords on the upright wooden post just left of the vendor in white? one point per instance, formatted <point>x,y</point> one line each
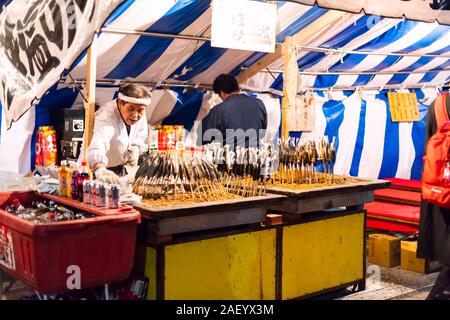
<point>89,105</point>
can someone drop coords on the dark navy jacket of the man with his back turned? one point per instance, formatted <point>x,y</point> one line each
<point>234,119</point>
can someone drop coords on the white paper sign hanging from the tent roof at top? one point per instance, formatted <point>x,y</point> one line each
<point>244,24</point>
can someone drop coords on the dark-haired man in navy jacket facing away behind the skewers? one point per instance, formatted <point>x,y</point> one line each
<point>239,120</point>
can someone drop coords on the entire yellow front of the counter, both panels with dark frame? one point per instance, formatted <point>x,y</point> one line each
<point>294,260</point>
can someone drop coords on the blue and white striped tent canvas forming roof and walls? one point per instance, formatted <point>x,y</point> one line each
<point>407,54</point>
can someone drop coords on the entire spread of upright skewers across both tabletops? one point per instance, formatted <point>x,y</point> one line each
<point>218,172</point>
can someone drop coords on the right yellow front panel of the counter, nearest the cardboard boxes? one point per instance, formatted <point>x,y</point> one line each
<point>321,255</point>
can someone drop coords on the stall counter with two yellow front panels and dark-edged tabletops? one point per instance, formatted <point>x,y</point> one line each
<point>232,249</point>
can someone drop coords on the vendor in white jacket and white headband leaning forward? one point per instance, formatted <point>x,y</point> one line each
<point>120,133</point>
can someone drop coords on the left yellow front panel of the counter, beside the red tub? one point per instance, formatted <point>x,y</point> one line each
<point>235,267</point>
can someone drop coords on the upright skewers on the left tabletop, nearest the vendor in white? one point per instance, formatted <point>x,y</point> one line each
<point>216,173</point>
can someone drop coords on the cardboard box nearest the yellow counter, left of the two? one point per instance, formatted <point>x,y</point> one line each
<point>384,250</point>
